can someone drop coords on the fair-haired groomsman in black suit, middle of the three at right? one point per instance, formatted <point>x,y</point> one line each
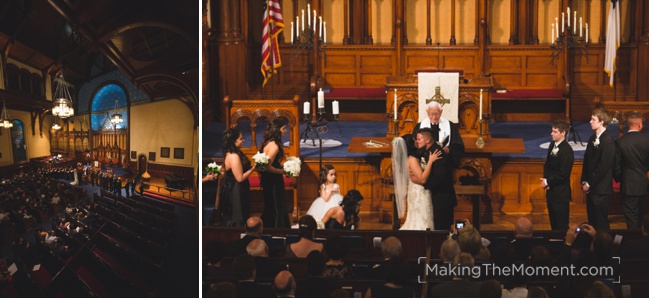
<point>597,173</point>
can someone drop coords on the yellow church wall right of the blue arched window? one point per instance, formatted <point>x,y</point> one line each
<point>164,123</point>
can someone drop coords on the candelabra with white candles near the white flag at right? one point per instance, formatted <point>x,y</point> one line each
<point>567,37</point>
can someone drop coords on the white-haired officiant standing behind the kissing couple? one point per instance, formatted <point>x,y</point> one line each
<point>443,128</point>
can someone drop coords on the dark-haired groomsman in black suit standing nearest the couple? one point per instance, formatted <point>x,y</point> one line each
<point>556,176</point>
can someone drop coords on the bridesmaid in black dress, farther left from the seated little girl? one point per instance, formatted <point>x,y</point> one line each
<point>235,188</point>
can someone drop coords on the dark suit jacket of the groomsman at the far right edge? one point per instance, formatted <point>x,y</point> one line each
<point>632,163</point>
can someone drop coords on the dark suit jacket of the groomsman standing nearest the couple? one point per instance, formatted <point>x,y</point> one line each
<point>557,171</point>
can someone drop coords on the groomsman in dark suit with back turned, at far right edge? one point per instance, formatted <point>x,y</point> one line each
<point>631,166</point>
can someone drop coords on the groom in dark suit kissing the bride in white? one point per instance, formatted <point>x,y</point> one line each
<point>440,181</point>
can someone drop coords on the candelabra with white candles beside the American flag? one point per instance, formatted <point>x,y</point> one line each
<point>308,37</point>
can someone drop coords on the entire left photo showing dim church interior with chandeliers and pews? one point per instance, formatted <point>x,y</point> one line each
<point>98,148</point>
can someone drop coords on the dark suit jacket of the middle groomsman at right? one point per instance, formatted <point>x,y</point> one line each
<point>598,165</point>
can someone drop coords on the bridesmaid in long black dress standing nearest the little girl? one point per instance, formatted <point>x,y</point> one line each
<point>275,214</point>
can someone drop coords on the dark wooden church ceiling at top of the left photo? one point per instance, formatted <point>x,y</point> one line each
<point>155,43</point>
